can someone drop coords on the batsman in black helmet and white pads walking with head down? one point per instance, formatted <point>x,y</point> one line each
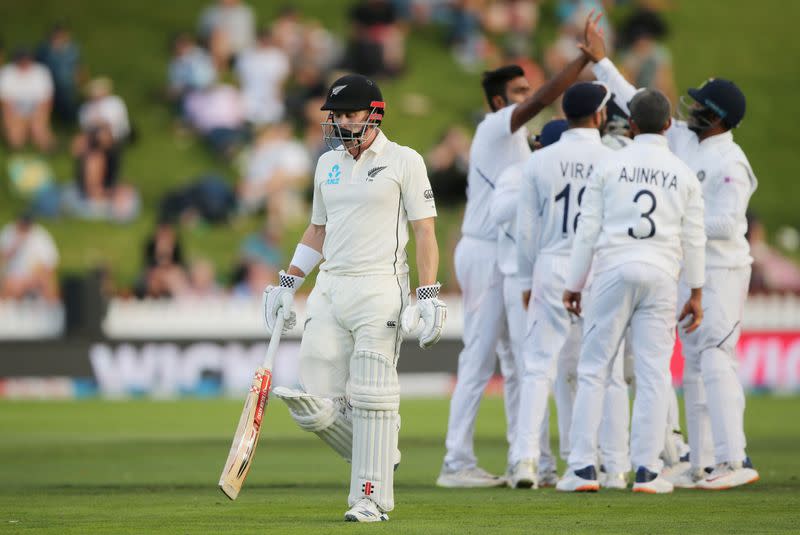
<point>366,191</point>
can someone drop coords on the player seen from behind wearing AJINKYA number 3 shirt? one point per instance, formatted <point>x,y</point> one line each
<point>642,214</point>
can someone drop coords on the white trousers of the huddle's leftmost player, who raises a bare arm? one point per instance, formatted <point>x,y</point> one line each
<point>484,322</point>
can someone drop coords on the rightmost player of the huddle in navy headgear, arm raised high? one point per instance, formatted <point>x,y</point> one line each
<point>714,397</point>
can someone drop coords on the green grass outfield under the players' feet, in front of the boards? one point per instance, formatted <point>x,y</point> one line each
<point>152,467</point>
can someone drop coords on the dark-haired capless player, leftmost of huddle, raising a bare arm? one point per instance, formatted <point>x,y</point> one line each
<point>500,141</point>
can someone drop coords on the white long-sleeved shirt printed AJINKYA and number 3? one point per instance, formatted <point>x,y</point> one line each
<point>642,204</point>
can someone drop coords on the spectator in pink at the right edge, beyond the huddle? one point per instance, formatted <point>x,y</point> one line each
<point>772,271</point>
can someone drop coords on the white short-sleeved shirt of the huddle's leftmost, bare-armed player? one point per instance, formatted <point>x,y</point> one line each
<point>493,149</point>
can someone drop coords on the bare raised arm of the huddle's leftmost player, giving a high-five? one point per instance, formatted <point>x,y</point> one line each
<point>553,88</point>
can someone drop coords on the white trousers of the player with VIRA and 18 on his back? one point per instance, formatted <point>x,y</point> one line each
<point>550,355</point>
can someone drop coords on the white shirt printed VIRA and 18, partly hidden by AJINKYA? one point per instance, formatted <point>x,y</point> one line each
<point>554,180</point>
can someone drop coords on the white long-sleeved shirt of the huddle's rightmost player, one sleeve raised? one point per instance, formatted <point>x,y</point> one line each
<point>722,168</point>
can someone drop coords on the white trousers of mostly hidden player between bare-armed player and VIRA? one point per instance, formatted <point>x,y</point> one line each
<point>512,380</point>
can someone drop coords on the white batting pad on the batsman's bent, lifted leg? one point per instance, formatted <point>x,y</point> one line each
<point>325,417</point>
